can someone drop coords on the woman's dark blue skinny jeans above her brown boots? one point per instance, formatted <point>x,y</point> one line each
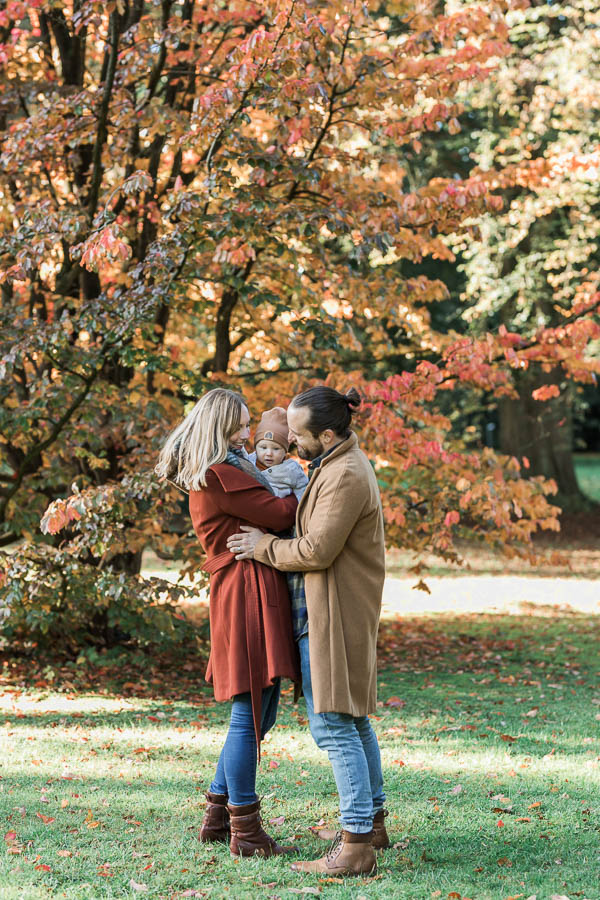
<point>236,770</point>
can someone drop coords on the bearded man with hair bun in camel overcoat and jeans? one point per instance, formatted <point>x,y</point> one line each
<point>339,546</point>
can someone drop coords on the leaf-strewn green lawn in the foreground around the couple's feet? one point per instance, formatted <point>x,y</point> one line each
<point>490,742</point>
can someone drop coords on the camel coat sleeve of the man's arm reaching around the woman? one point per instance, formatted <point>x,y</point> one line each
<point>335,514</point>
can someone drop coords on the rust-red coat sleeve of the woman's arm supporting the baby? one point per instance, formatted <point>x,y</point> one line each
<point>254,505</point>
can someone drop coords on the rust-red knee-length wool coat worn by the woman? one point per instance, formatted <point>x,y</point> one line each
<point>250,615</point>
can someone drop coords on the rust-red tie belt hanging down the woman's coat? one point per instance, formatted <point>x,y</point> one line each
<point>255,637</point>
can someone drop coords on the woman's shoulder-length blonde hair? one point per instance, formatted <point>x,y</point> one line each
<point>201,440</point>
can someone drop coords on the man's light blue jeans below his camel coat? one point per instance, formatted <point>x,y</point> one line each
<point>353,753</point>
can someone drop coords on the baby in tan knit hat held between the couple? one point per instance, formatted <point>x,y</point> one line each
<point>270,455</point>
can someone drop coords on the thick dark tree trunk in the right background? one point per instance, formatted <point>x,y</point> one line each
<point>543,432</point>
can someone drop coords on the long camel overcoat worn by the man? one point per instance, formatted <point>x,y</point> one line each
<point>340,548</point>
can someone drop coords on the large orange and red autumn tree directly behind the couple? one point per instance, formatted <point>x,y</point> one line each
<point>195,192</point>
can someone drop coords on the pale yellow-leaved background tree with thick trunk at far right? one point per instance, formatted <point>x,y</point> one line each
<point>536,265</point>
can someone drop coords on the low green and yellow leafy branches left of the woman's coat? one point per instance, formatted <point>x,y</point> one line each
<point>87,590</point>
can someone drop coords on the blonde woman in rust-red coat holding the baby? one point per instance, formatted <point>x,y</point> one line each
<point>252,644</point>
